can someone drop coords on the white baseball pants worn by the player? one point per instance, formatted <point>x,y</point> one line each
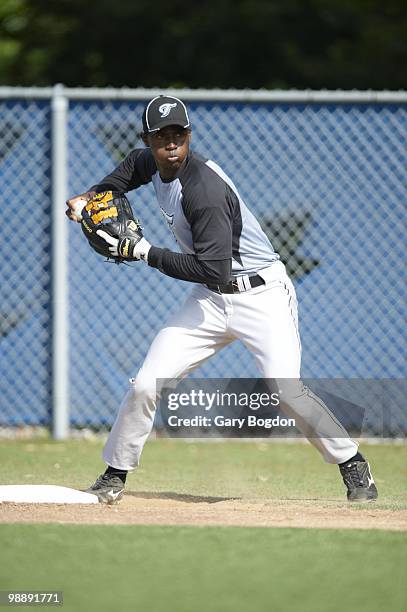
<point>265,319</point>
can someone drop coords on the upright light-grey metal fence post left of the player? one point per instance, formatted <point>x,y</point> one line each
<point>59,263</point>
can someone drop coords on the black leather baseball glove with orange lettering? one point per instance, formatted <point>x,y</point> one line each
<point>107,219</point>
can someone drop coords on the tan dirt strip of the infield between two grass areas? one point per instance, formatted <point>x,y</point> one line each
<point>176,509</point>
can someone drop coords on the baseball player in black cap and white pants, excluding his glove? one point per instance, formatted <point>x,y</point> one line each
<point>240,290</point>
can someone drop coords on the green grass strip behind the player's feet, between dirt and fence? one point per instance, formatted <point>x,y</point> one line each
<point>255,470</point>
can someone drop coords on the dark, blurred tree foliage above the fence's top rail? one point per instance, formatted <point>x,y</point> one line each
<point>228,43</point>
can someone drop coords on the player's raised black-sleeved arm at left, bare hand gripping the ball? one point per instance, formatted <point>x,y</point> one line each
<point>135,170</point>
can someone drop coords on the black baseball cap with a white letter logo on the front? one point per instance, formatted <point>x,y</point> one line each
<point>162,111</point>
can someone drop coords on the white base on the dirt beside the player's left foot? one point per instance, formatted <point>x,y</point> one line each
<point>45,494</point>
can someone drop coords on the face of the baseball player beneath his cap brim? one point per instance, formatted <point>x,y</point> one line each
<point>170,146</point>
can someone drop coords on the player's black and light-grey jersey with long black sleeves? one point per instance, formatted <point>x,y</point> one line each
<point>218,236</point>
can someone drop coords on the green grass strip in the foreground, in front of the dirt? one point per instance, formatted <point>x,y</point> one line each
<point>188,569</point>
